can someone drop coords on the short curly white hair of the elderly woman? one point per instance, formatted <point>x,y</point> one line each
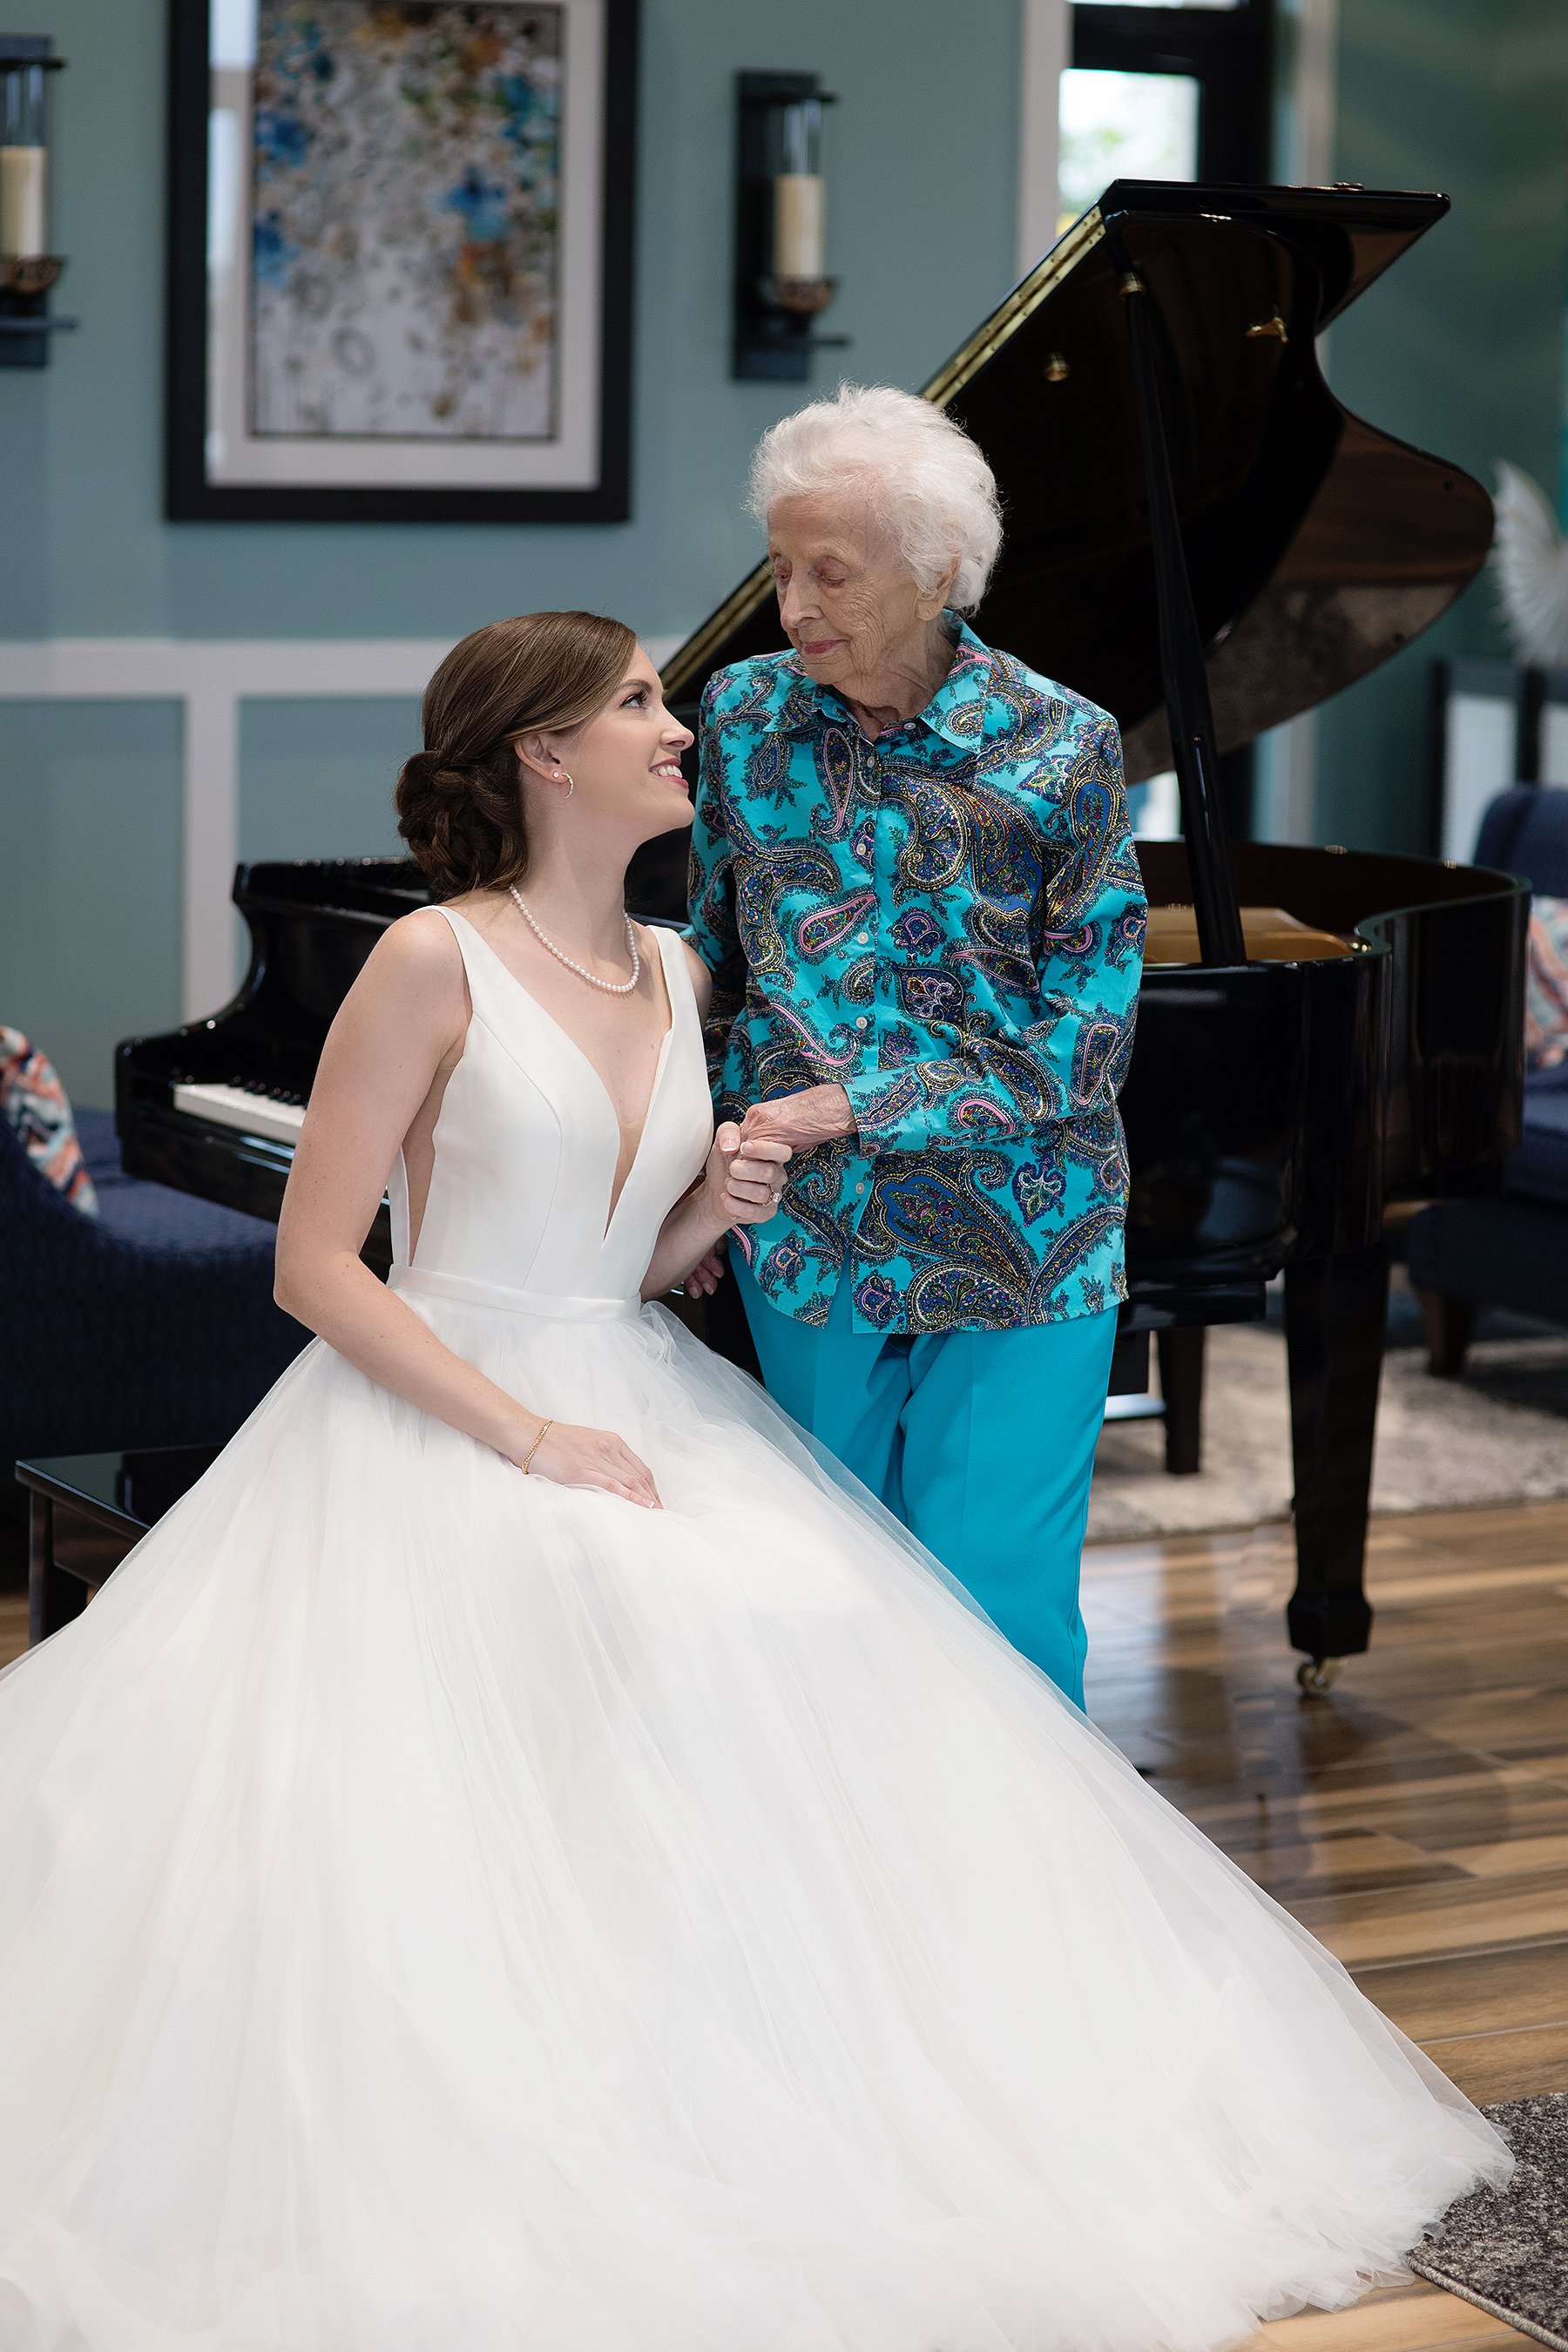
<point>920,472</point>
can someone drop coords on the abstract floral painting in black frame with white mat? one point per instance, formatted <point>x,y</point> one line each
<point>401,260</point>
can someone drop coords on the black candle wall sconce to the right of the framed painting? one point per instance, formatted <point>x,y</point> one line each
<point>779,225</point>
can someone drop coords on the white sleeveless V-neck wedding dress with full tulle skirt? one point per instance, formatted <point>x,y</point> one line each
<point>443,1911</point>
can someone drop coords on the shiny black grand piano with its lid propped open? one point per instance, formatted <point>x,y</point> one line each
<point>1205,542</point>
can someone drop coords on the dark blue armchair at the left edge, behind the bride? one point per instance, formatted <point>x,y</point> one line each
<point>149,1325</point>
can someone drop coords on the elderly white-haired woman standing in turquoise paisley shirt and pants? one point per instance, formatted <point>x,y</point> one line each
<point>916,888</point>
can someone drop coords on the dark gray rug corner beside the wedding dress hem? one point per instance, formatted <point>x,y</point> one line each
<point>1508,2250</point>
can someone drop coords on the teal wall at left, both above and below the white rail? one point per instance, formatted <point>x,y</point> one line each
<point>923,159</point>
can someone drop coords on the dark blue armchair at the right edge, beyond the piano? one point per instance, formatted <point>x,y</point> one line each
<point>1510,1250</point>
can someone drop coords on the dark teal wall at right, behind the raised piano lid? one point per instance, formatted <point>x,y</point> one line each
<point>1459,349</point>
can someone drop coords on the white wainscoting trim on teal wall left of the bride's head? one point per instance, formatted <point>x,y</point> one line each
<point>213,679</point>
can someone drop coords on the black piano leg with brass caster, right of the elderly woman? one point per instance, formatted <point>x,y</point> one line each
<point>1336,1314</point>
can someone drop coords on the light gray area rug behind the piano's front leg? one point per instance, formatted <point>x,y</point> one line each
<point>1499,1436</point>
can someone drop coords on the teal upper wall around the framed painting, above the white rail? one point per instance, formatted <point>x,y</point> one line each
<point>920,236</point>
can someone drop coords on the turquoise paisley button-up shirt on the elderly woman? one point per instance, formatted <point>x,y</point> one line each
<point>946,921</point>
